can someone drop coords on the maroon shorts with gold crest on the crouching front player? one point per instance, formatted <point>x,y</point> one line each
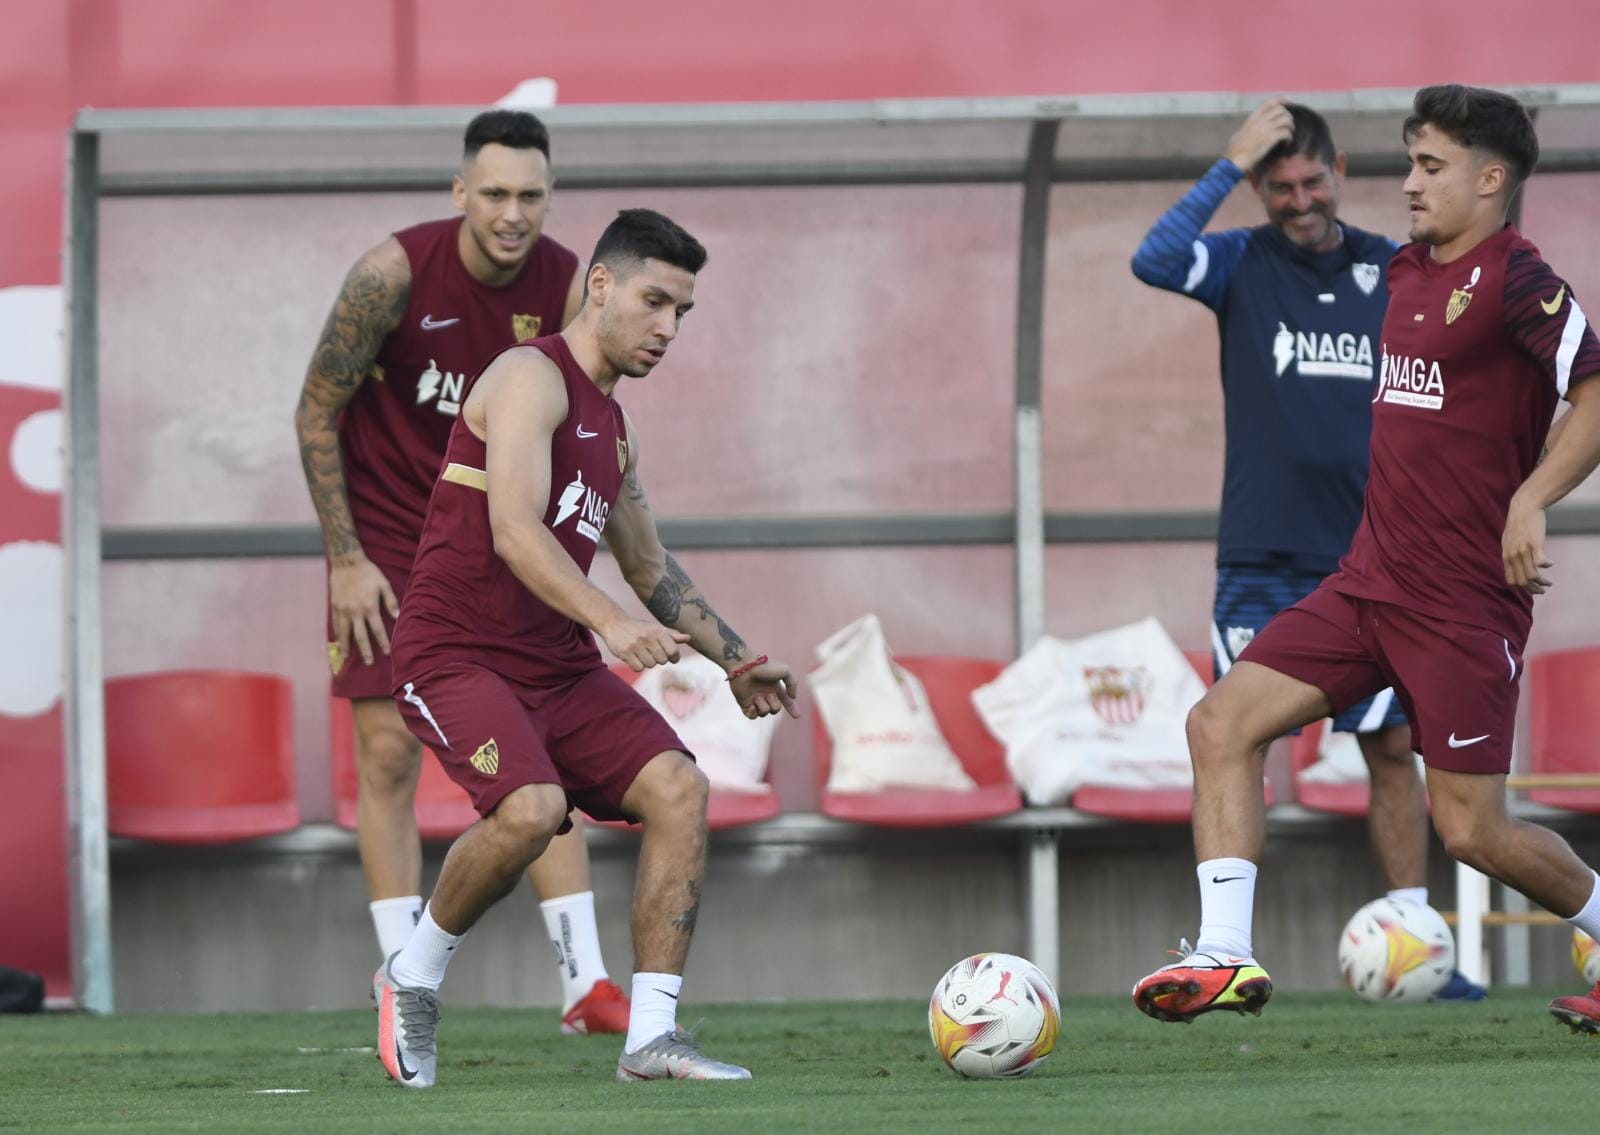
<point>591,736</point>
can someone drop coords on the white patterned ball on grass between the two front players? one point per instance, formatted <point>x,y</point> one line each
<point>994,1016</point>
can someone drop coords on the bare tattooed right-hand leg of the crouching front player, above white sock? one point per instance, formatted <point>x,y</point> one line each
<point>670,798</point>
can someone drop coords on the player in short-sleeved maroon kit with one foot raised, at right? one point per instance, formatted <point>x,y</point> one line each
<point>1436,595</point>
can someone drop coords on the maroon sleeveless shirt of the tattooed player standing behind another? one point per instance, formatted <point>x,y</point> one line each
<point>394,430</point>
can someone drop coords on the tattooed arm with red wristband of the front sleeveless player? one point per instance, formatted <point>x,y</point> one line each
<point>668,592</point>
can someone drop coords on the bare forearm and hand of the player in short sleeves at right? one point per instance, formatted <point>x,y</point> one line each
<point>1572,455</point>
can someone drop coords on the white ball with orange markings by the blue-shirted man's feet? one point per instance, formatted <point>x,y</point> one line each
<point>1393,950</point>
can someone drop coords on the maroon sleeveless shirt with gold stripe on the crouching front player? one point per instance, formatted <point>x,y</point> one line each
<point>463,603</point>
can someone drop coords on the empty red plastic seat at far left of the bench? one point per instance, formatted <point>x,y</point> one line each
<point>201,756</point>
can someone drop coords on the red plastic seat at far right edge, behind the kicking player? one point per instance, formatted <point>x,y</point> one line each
<point>1564,736</point>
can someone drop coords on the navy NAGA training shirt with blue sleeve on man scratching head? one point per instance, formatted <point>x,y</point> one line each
<point>1302,355</point>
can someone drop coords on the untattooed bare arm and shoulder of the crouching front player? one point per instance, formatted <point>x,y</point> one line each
<point>518,404</point>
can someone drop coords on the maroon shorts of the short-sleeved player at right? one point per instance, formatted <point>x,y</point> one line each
<point>1458,683</point>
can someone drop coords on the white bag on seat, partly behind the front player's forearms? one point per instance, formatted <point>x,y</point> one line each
<point>694,697</point>
